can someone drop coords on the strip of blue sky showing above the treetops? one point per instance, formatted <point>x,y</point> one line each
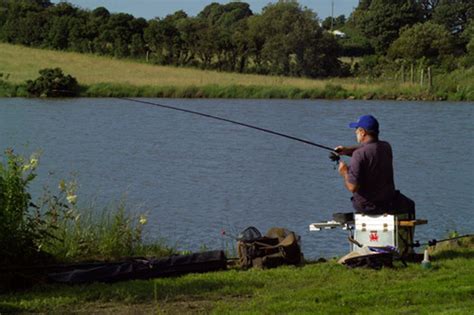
<point>149,9</point>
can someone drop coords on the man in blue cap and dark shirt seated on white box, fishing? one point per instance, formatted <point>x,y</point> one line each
<point>369,175</point>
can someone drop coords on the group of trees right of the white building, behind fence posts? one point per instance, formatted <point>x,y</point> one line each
<point>429,32</point>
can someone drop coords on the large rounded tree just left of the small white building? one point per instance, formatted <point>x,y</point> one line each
<point>295,44</point>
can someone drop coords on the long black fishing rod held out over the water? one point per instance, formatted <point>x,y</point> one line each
<point>333,155</point>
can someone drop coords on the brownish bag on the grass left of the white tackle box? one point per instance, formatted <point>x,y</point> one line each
<point>278,247</point>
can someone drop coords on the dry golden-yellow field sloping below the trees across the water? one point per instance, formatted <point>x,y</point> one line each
<point>22,63</point>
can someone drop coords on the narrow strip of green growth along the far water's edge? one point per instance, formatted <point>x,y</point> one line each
<point>328,92</point>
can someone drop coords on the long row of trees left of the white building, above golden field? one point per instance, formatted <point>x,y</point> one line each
<point>285,39</point>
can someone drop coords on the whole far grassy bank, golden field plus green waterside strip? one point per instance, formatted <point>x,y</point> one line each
<point>104,76</point>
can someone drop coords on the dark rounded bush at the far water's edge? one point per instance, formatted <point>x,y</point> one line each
<point>53,83</point>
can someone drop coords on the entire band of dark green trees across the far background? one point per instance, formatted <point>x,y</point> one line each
<point>284,39</point>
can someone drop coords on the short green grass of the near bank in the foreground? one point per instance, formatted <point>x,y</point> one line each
<point>317,288</point>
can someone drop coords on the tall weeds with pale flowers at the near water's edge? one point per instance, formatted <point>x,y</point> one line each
<point>56,229</point>
